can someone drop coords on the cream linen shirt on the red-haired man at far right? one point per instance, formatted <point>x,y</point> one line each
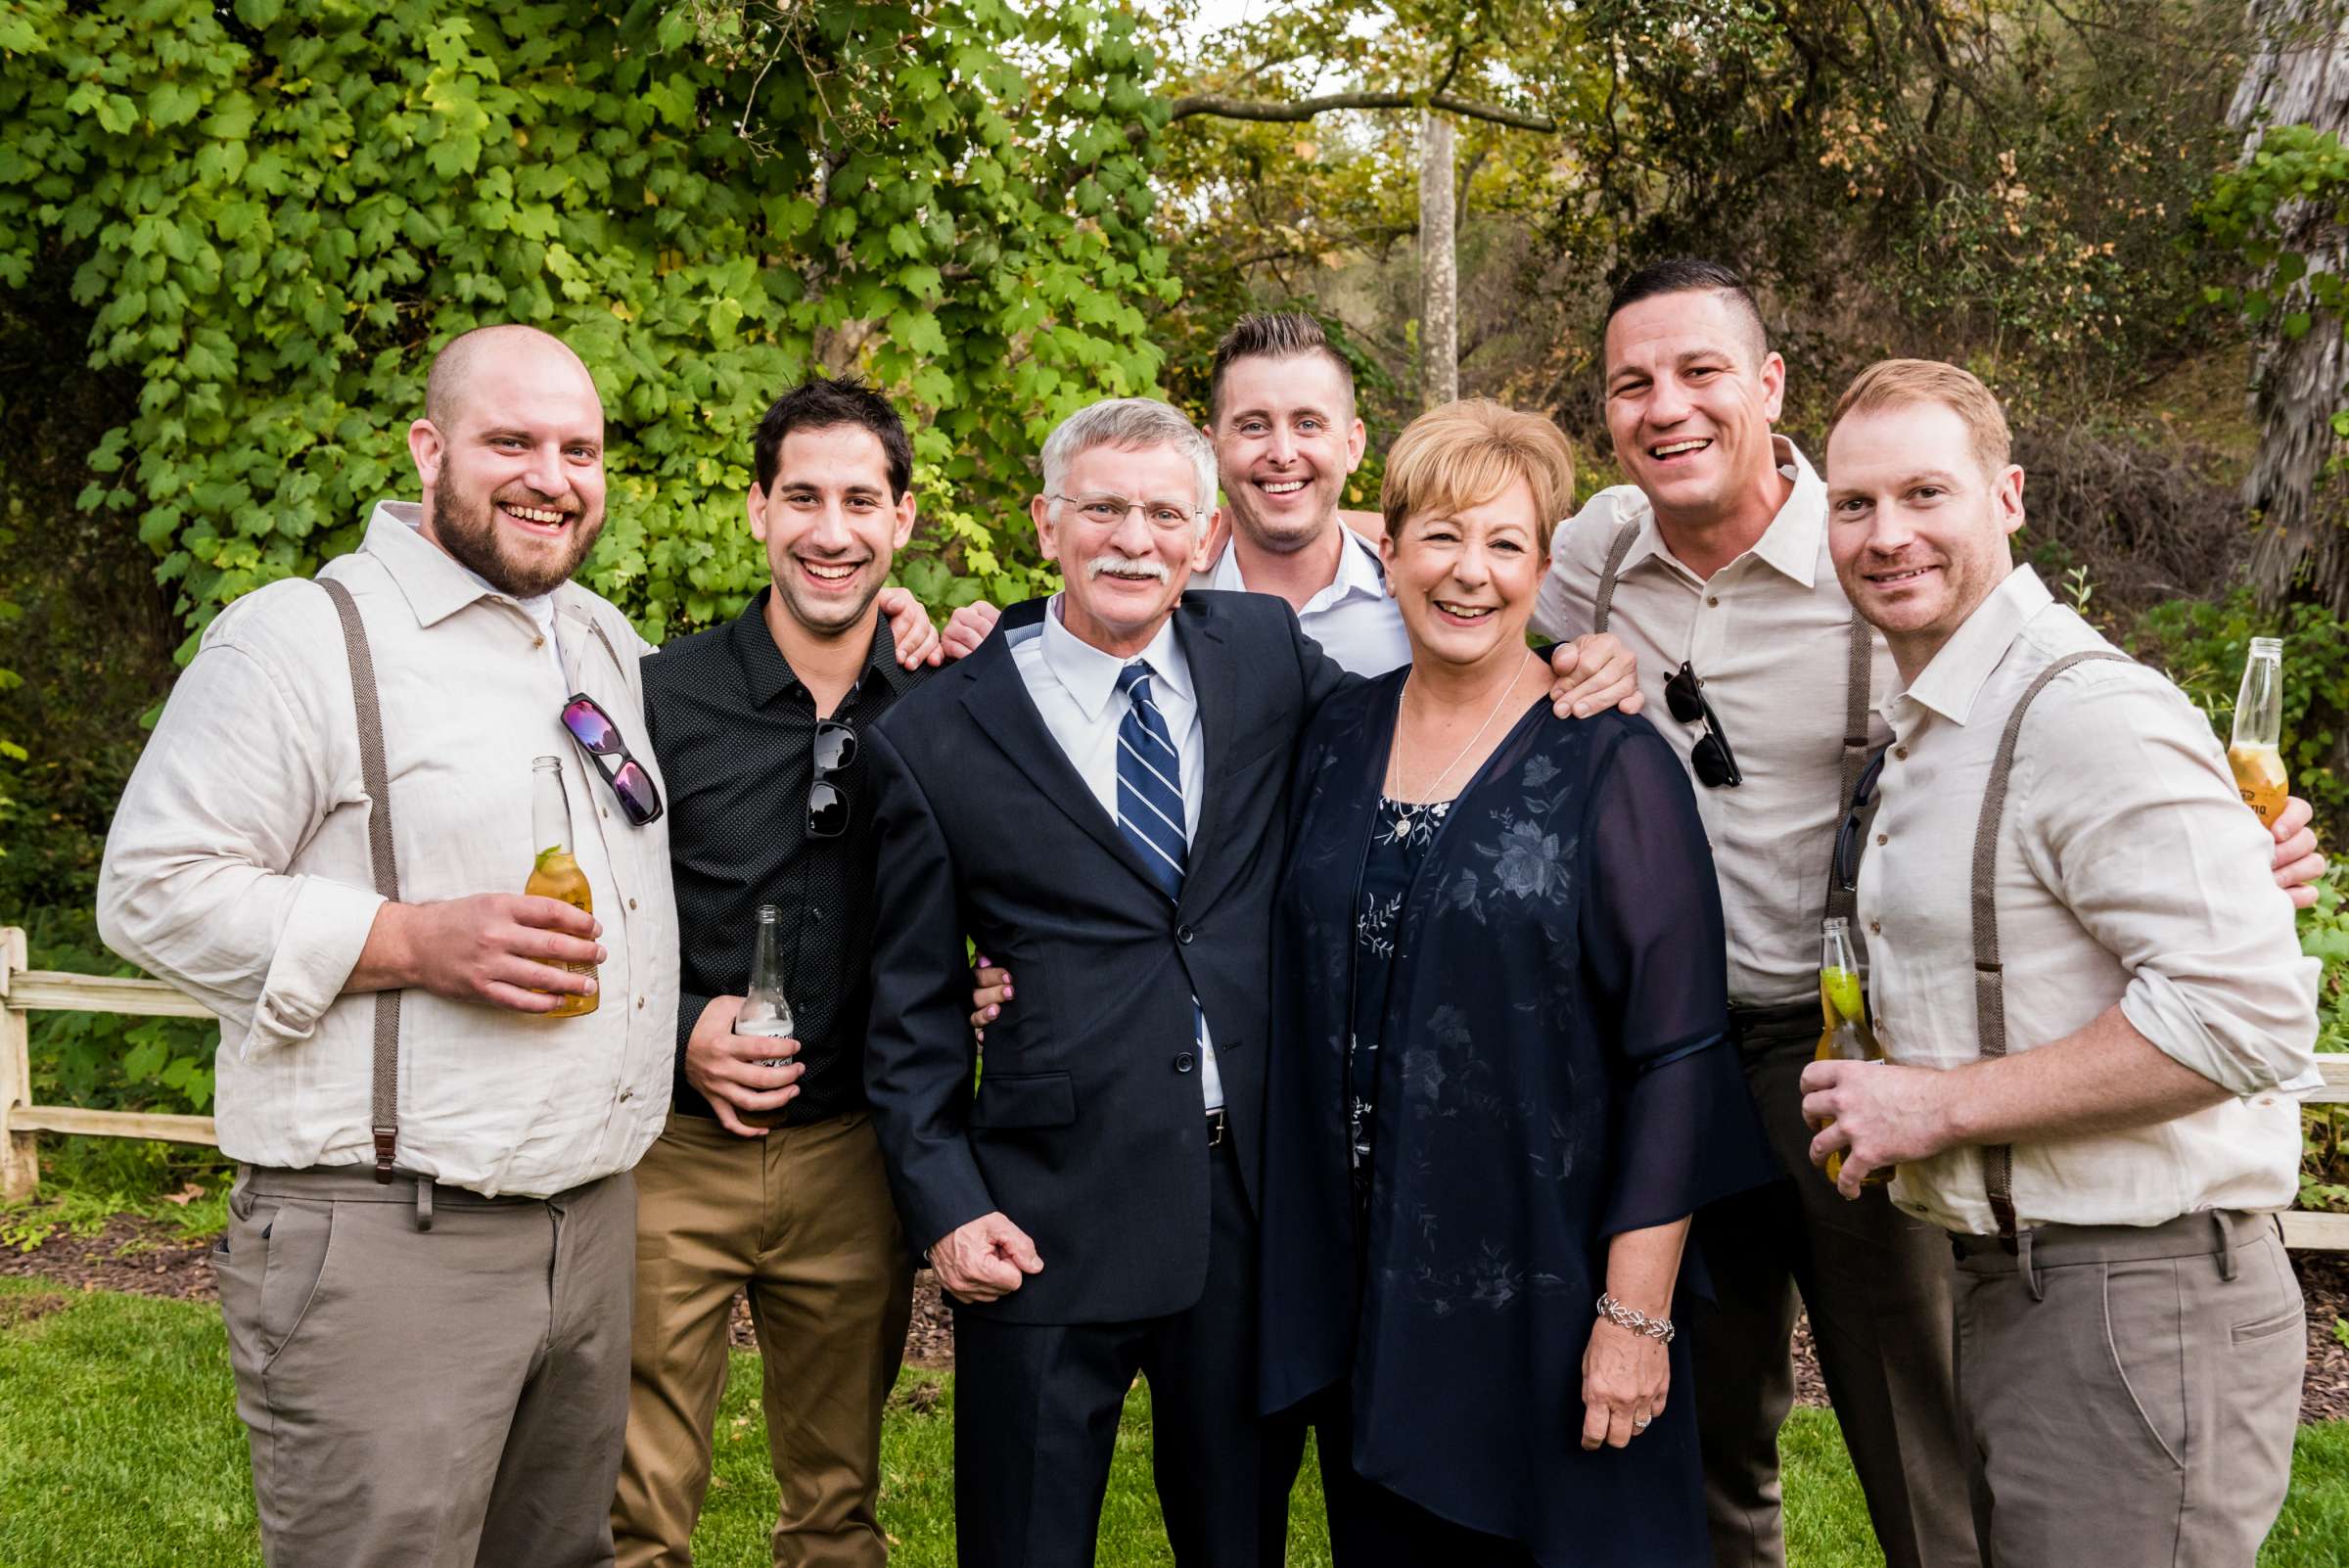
<point>2129,872</point>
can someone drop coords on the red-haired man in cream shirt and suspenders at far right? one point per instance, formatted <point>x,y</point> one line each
<point>2094,1013</point>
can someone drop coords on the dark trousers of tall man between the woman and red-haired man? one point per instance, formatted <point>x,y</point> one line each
<point>1878,1290</point>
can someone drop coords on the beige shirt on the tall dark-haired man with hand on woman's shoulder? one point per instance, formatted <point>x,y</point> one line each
<point>1772,640</point>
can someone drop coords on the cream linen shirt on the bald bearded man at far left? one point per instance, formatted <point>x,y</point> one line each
<point>238,870</point>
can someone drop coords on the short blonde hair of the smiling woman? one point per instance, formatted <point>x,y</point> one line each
<point>1465,454</point>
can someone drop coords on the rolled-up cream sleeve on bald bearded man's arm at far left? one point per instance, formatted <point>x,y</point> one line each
<point>196,884</point>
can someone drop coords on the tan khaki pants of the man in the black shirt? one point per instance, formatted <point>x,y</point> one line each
<point>805,1219</point>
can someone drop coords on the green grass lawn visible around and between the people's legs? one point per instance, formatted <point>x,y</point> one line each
<point>121,1447</point>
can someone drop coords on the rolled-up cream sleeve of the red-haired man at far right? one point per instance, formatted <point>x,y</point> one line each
<point>2139,830</point>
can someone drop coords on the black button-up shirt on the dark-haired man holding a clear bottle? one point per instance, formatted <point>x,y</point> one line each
<point>734,731</point>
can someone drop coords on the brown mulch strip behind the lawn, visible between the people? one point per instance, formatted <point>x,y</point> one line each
<point>149,1259</point>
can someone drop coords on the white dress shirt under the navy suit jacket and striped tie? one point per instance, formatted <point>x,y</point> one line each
<point>1077,694</point>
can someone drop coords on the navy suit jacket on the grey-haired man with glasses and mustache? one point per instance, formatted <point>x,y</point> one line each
<point>1086,1123</point>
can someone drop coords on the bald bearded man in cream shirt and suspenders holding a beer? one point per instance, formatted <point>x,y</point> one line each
<point>429,1318</point>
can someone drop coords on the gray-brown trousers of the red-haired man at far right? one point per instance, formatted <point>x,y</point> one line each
<point>2132,1395</point>
